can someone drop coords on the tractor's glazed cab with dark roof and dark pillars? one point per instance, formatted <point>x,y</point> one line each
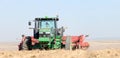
<point>44,27</point>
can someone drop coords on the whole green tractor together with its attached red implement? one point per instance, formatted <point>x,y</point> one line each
<point>46,35</point>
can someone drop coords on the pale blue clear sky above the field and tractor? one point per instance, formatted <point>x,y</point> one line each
<point>99,19</point>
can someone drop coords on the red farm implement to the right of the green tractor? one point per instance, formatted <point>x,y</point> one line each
<point>76,41</point>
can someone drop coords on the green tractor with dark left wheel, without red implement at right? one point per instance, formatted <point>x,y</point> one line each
<point>46,35</point>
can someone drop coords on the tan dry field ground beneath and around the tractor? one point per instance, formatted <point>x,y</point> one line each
<point>96,50</point>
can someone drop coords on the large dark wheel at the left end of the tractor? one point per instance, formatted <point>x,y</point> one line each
<point>27,44</point>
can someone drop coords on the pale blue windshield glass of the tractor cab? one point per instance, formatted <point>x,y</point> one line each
<point>47,24</point>
